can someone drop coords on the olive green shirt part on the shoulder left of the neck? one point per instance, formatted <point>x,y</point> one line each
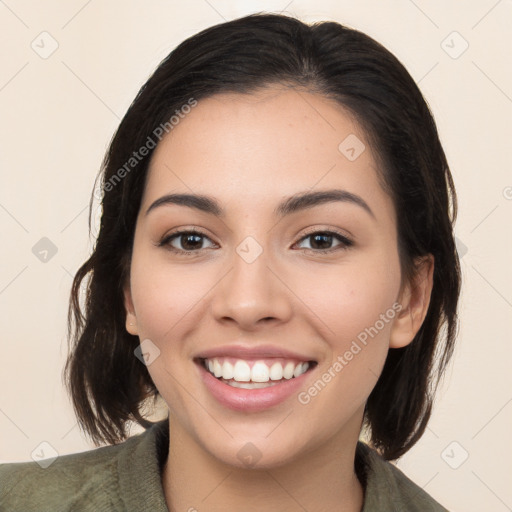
<point>98,479</point>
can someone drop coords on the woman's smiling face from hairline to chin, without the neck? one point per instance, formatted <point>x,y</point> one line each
<point>265,285</point>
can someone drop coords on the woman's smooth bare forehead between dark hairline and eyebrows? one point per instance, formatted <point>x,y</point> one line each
<point>263,146</point>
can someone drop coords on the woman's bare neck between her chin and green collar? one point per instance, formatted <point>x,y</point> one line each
<point>323,479</point>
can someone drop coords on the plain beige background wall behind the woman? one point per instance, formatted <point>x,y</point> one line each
<point>58,113</point>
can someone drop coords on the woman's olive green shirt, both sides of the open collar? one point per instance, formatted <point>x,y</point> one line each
<point>127,477</point>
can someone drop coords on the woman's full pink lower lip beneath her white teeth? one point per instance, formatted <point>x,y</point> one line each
<point>251,400</point>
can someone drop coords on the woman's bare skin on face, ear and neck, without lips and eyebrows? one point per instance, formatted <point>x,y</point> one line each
<point>250,152</point>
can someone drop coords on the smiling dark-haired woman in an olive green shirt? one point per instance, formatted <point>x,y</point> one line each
<point>276,260</point>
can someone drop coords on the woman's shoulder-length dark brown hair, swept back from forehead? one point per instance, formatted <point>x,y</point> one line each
<point>107,383</point>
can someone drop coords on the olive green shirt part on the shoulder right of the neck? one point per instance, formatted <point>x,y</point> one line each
<point>389,489</point>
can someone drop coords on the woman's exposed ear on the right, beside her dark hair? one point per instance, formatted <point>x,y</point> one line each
<point>414,298</point>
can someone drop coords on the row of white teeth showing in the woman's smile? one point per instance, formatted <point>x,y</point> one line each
<point>259,373</point>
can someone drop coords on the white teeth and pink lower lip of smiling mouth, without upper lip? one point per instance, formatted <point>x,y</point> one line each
<point>253,384</point>
